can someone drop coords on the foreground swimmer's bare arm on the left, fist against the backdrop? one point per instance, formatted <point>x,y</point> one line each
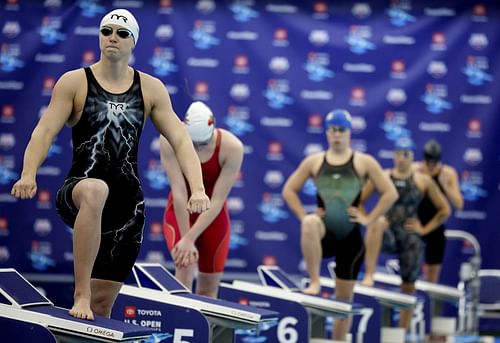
<point>51,122</point>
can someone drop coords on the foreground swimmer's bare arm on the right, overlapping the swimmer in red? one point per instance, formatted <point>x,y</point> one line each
<point>168,124</point>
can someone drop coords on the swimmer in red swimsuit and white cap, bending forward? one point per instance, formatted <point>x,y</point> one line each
<point>201,238</point>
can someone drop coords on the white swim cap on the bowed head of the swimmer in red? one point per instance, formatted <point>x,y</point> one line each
<point>200,122</point>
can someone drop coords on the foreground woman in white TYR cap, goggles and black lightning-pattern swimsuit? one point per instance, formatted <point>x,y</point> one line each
<point>107,105</point>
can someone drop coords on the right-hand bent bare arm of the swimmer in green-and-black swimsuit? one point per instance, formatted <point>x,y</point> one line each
<point>382,184</point>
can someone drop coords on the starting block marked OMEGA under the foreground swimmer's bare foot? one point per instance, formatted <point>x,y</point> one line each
<point>22,303</point>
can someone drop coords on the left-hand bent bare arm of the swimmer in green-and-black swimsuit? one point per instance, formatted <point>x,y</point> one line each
<point>296,181</point>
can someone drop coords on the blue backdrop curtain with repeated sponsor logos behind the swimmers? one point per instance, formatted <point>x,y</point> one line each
<point>270,70</point>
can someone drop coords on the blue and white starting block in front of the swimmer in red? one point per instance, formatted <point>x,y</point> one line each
<point>155,284</point>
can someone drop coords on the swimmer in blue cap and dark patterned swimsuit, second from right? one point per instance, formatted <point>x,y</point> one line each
<point>399,231</point>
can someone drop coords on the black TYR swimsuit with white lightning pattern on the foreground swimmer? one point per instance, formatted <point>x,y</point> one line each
<point>105,144</point>
